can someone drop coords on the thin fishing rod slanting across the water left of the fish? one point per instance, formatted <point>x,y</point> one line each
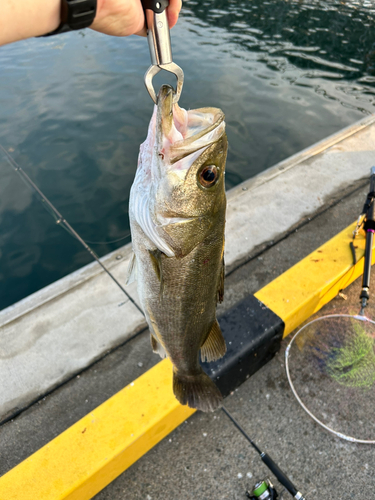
<point>59,219</point>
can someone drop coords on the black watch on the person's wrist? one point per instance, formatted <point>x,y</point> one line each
<point>75,15</point>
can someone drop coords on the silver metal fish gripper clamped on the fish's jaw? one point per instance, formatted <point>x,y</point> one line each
<point>159,42</point>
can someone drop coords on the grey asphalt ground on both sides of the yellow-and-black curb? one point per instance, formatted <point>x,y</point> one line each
<point>206,458</point>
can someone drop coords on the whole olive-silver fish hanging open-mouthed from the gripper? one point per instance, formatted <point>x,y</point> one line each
<point>177,211</point>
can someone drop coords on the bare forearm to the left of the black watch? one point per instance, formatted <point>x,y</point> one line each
<point>20,19</point>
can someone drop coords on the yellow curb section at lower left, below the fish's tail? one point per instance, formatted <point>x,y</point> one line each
<point>93,452</point>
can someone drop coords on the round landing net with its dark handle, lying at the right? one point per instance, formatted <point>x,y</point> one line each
<point>330,361</point>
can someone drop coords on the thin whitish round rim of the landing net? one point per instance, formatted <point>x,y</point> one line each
<point>287,351</point>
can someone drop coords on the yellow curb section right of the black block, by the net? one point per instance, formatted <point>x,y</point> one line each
<point>314,281</point>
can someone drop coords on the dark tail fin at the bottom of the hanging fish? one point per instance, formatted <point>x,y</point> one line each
<point>197,391</point>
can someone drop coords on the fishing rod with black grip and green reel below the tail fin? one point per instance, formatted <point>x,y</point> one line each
<point>260,489</point>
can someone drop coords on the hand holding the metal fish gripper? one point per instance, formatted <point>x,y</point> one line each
<point>126,17</point>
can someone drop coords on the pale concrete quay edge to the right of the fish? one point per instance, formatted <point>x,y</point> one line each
<point>264,209</point>
